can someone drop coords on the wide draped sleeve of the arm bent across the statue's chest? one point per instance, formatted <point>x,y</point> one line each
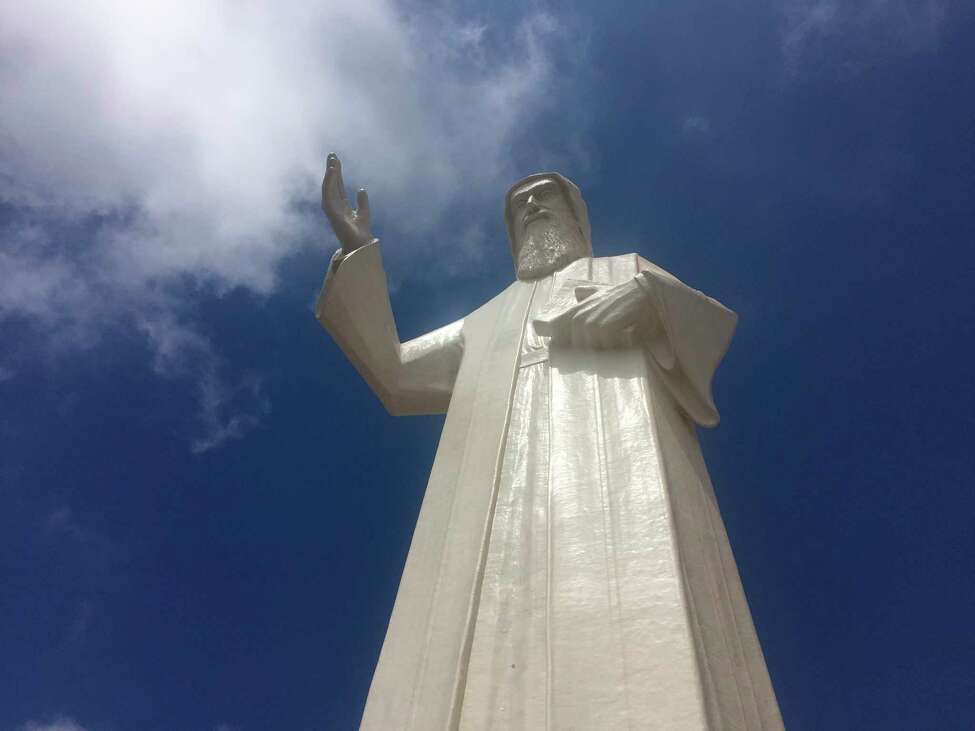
<point>694,334</point>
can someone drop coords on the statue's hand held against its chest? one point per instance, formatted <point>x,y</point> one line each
<point>606,319</point>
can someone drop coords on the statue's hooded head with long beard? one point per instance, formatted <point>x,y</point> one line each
<point>548,224</point>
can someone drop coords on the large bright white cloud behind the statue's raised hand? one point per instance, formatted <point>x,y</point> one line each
<point>152,142</point>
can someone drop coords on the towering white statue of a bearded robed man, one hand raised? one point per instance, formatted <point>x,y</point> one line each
<point>569,568</point>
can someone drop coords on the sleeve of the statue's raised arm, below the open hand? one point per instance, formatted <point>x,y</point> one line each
<point>415,377</point>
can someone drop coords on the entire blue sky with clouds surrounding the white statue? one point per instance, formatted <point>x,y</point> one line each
<point>205,511</point>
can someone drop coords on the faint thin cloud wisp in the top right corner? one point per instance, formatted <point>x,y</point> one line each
<point>822,35</point>
